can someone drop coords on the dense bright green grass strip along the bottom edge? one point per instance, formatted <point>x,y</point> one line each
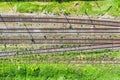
<point>58,72</point>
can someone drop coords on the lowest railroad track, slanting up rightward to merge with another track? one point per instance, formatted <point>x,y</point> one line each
<point>4,54</point>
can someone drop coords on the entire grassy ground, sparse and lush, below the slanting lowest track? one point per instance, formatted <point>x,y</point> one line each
<point>58,66</point>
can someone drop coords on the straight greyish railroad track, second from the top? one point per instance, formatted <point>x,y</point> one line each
<point>60,30</point>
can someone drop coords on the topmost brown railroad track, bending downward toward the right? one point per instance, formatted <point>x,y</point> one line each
<point>60,20</point>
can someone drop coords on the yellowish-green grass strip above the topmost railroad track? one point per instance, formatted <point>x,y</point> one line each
<point>109,7</point>
